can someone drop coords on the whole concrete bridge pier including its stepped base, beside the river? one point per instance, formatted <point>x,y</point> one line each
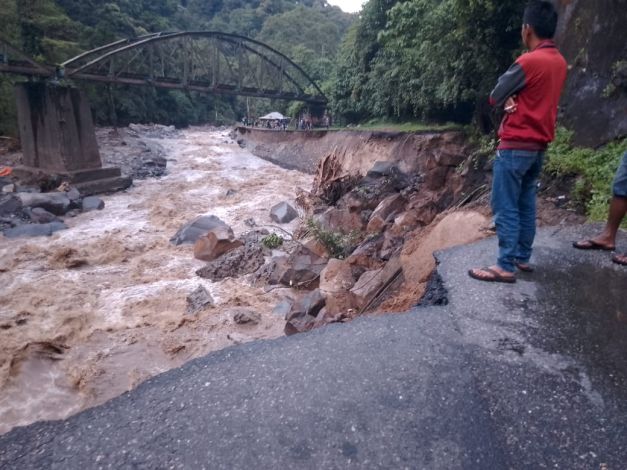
<point>58,138</point>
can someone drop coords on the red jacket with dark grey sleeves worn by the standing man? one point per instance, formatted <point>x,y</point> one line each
<point>537,78</point>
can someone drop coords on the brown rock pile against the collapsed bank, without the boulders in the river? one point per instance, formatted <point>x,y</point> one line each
<point>385,208</point>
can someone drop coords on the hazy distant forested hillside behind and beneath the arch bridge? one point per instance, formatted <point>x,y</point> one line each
<point>308,31</point>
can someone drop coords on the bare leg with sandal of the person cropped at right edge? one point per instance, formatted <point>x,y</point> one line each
<point>618,208</point>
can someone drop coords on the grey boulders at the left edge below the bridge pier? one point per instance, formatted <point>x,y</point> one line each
<point>27,212</point>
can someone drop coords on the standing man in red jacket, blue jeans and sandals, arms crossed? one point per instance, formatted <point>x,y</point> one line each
<point>529,91</point>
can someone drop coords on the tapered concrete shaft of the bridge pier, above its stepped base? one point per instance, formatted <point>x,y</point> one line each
<point>56,128</point>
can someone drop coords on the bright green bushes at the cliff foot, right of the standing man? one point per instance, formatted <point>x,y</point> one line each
<point>593,169</point>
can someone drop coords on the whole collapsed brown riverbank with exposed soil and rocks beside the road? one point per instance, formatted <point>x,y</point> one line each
<point>380,205</point>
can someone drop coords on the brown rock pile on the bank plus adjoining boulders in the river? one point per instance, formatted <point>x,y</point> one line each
<point>372,217</point>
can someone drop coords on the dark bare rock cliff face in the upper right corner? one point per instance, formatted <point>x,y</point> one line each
<point>592,37</point>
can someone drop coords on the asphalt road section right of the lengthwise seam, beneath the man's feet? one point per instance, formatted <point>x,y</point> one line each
<point>551,351</point>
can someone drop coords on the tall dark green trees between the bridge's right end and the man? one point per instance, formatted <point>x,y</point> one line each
<point>425,59</point>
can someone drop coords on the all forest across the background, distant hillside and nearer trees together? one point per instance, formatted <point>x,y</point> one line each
<point>418,59</point>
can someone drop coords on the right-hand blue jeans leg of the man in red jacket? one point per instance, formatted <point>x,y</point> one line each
<point>527,210</point>
